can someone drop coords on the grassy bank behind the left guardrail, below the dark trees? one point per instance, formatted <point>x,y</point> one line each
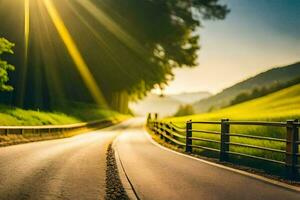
<point>73,113</point>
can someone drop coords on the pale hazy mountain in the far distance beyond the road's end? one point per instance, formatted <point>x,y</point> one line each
<point>166,105</point>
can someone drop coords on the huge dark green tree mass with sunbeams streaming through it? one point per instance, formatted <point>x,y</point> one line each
<point>129,46</point>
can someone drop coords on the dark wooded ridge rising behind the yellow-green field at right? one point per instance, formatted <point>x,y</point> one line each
<point>275,75</point>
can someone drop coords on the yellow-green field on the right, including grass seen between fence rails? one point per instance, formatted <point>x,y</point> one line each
<point>278,106</point>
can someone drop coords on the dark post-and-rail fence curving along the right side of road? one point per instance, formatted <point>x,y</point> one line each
<point>183,136</point>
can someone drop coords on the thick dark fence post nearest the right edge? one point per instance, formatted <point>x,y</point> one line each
<point>292,148</point>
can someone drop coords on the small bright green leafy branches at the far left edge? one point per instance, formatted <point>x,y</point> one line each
<point>5,47</point>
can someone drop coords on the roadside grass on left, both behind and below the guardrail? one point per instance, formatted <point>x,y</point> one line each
<point>71,113</point>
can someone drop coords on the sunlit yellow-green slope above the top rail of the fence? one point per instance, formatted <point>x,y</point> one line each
<point>278,106</point>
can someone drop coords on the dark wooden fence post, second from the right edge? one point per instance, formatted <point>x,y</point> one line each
<point>225,139</point>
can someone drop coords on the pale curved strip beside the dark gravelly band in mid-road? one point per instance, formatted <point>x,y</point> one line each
<point>127,185</point>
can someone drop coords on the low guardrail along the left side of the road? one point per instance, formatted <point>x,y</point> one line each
<point>51,129</point>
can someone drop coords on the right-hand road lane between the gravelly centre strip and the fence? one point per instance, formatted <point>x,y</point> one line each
<point>160,174</point>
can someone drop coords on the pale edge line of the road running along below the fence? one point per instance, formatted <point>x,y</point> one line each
<point>244,173</point>
